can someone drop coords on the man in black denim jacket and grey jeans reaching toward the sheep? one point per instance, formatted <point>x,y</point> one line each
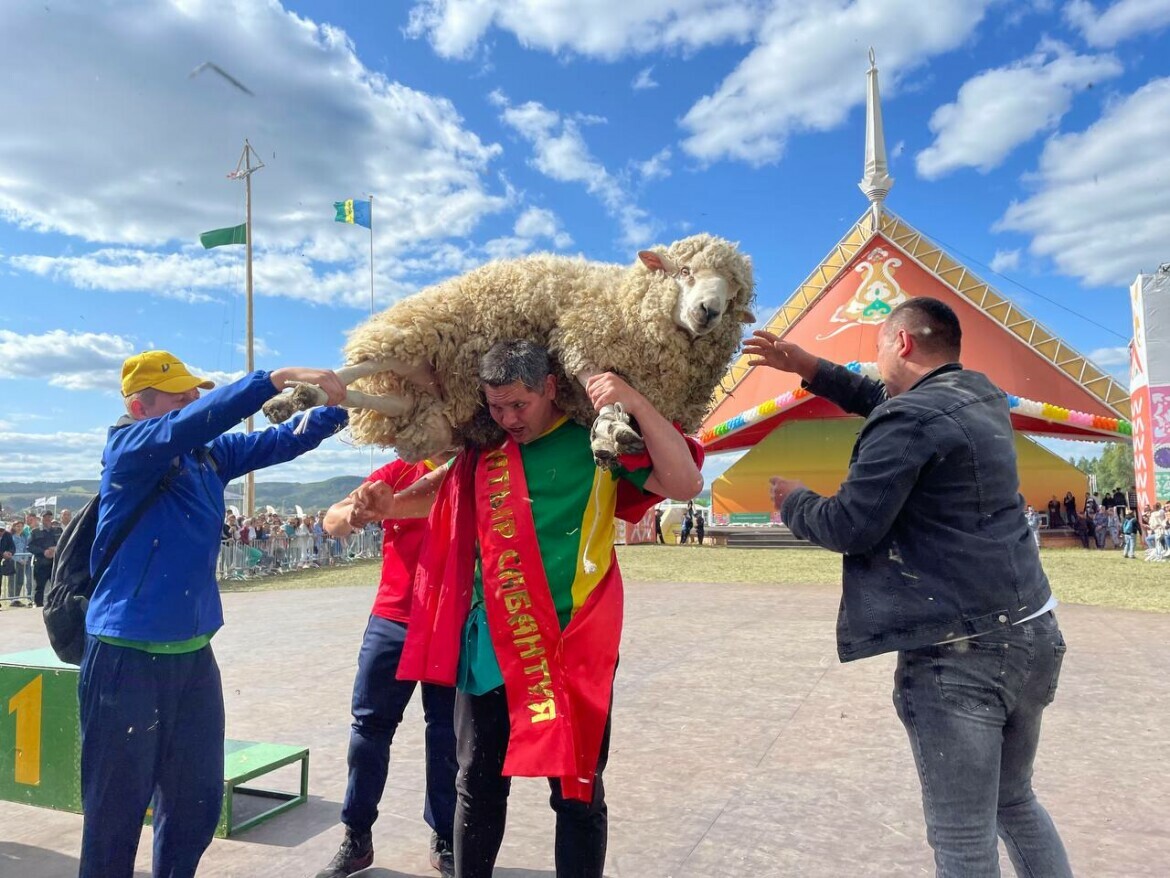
<point>941,567</point>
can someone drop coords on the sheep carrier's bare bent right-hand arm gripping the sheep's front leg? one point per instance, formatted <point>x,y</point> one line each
<point>675,472</point>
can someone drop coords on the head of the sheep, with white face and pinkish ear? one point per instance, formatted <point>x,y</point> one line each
<point>713,279</point>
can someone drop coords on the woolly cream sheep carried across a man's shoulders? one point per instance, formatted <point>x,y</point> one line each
<point>670,325</point>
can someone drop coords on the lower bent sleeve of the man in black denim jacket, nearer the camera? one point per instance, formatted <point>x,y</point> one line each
<point>892,452</point>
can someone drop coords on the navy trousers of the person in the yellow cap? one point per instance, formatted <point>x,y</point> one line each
<point>152,726</point>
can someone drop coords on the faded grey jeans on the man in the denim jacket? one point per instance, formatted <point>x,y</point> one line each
<point>973,712</point>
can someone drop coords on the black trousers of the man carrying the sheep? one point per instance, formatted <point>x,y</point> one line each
<point>481,810</point>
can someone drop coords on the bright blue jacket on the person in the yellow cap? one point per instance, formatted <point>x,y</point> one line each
<point>162,584</point>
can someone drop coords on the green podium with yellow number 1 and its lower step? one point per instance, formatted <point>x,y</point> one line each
<point>40,747</point>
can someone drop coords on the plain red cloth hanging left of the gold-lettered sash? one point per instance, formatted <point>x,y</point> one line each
<point>443,582</point>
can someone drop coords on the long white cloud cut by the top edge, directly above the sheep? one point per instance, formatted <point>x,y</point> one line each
<point>598,29</point>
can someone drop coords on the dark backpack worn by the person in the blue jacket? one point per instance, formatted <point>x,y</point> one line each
<point>72,585</point>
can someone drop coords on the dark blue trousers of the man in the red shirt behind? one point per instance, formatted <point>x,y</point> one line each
<point>380,701</point>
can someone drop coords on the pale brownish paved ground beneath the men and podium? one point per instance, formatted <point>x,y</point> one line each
<point>741,747</point>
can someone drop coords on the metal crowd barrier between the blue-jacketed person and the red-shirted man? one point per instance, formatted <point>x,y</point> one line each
<point>279,554</point>
